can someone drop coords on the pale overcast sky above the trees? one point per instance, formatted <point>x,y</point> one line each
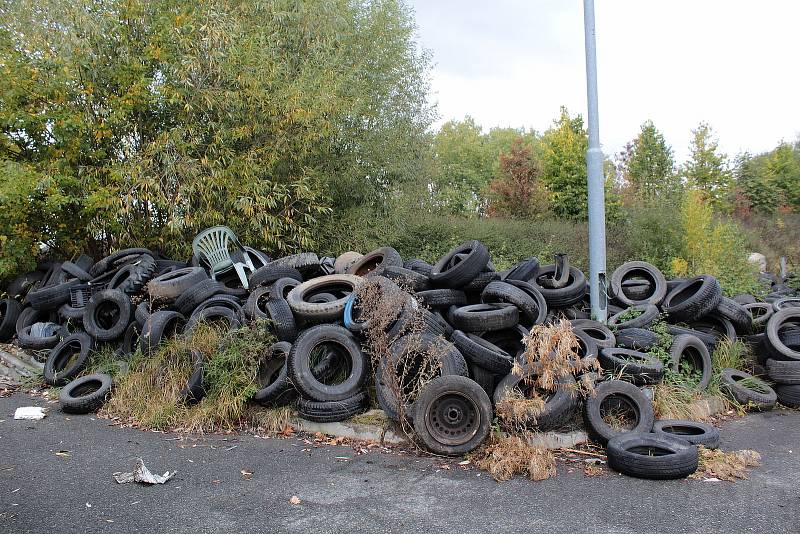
<point>732,63</point>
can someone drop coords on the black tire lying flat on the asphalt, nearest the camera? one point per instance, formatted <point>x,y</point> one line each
<point>652,456</point>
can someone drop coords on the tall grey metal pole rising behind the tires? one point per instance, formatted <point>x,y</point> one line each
<point>594,166</point>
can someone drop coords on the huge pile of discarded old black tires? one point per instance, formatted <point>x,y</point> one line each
<point>473,318</point>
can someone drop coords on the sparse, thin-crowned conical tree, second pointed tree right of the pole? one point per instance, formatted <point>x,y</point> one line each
<point>707,168</point>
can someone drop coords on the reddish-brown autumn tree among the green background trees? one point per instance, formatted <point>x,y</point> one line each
<point>518,191</point>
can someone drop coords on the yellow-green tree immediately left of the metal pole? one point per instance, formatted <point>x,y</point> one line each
<point>564,173</point>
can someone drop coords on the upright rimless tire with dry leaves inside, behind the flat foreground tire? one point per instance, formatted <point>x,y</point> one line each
<point>617,394</point>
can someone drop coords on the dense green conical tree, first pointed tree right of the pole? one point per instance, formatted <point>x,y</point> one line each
<point>648,166</point>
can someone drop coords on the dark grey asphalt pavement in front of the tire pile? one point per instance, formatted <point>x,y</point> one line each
<point>41,491</point>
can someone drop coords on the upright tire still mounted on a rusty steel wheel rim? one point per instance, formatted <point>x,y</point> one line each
<point>453,415</point>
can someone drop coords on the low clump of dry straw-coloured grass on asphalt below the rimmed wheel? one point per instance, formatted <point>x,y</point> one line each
<point>504,457</point>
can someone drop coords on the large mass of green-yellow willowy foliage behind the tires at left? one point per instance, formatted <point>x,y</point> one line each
<point>140,123</point>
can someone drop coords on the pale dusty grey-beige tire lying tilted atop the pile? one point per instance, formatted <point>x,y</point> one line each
<point>341,284</point>
